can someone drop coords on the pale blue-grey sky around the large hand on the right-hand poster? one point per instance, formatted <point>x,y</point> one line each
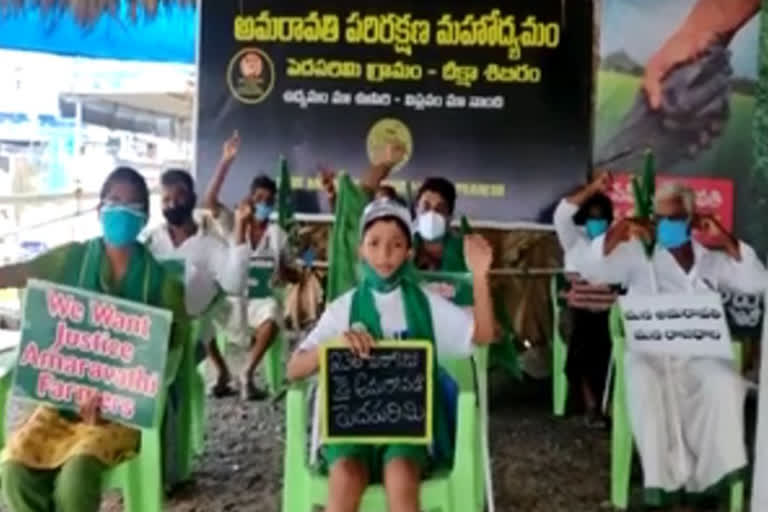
<point>652,21</point>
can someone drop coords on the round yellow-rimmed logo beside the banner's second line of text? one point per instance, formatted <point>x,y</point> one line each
<point>251,75</point>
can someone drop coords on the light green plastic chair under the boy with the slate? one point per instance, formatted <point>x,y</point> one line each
<point>452,490</point>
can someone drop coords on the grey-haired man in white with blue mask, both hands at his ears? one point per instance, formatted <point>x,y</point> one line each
<point>687,414</point>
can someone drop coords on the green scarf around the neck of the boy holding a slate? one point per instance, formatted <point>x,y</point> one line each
<point>418,316</point>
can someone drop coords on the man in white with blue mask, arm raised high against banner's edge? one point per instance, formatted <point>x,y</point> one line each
<point>254,320</point>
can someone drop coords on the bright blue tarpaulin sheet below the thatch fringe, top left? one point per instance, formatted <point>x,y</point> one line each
<point>169,37</point>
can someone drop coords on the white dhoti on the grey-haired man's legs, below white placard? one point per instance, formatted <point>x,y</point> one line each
<point>687,416</point>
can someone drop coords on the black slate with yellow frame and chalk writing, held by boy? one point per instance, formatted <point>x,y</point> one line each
<point>384,399</point>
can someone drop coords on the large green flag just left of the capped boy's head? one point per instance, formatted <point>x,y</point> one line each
<point>342,250</point>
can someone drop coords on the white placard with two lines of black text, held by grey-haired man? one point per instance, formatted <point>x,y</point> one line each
<point>691,325</point>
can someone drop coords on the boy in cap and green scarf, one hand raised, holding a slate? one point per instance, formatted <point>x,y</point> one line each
<point>388,303</point>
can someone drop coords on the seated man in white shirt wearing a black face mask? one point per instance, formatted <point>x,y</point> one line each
<point>213,264</point>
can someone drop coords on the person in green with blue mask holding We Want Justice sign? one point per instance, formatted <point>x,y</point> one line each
<point>55,460</point>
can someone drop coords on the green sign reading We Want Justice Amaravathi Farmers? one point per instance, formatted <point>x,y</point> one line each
<point>76,343</point>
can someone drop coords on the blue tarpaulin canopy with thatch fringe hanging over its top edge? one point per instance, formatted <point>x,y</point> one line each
<point>111,30</point>
